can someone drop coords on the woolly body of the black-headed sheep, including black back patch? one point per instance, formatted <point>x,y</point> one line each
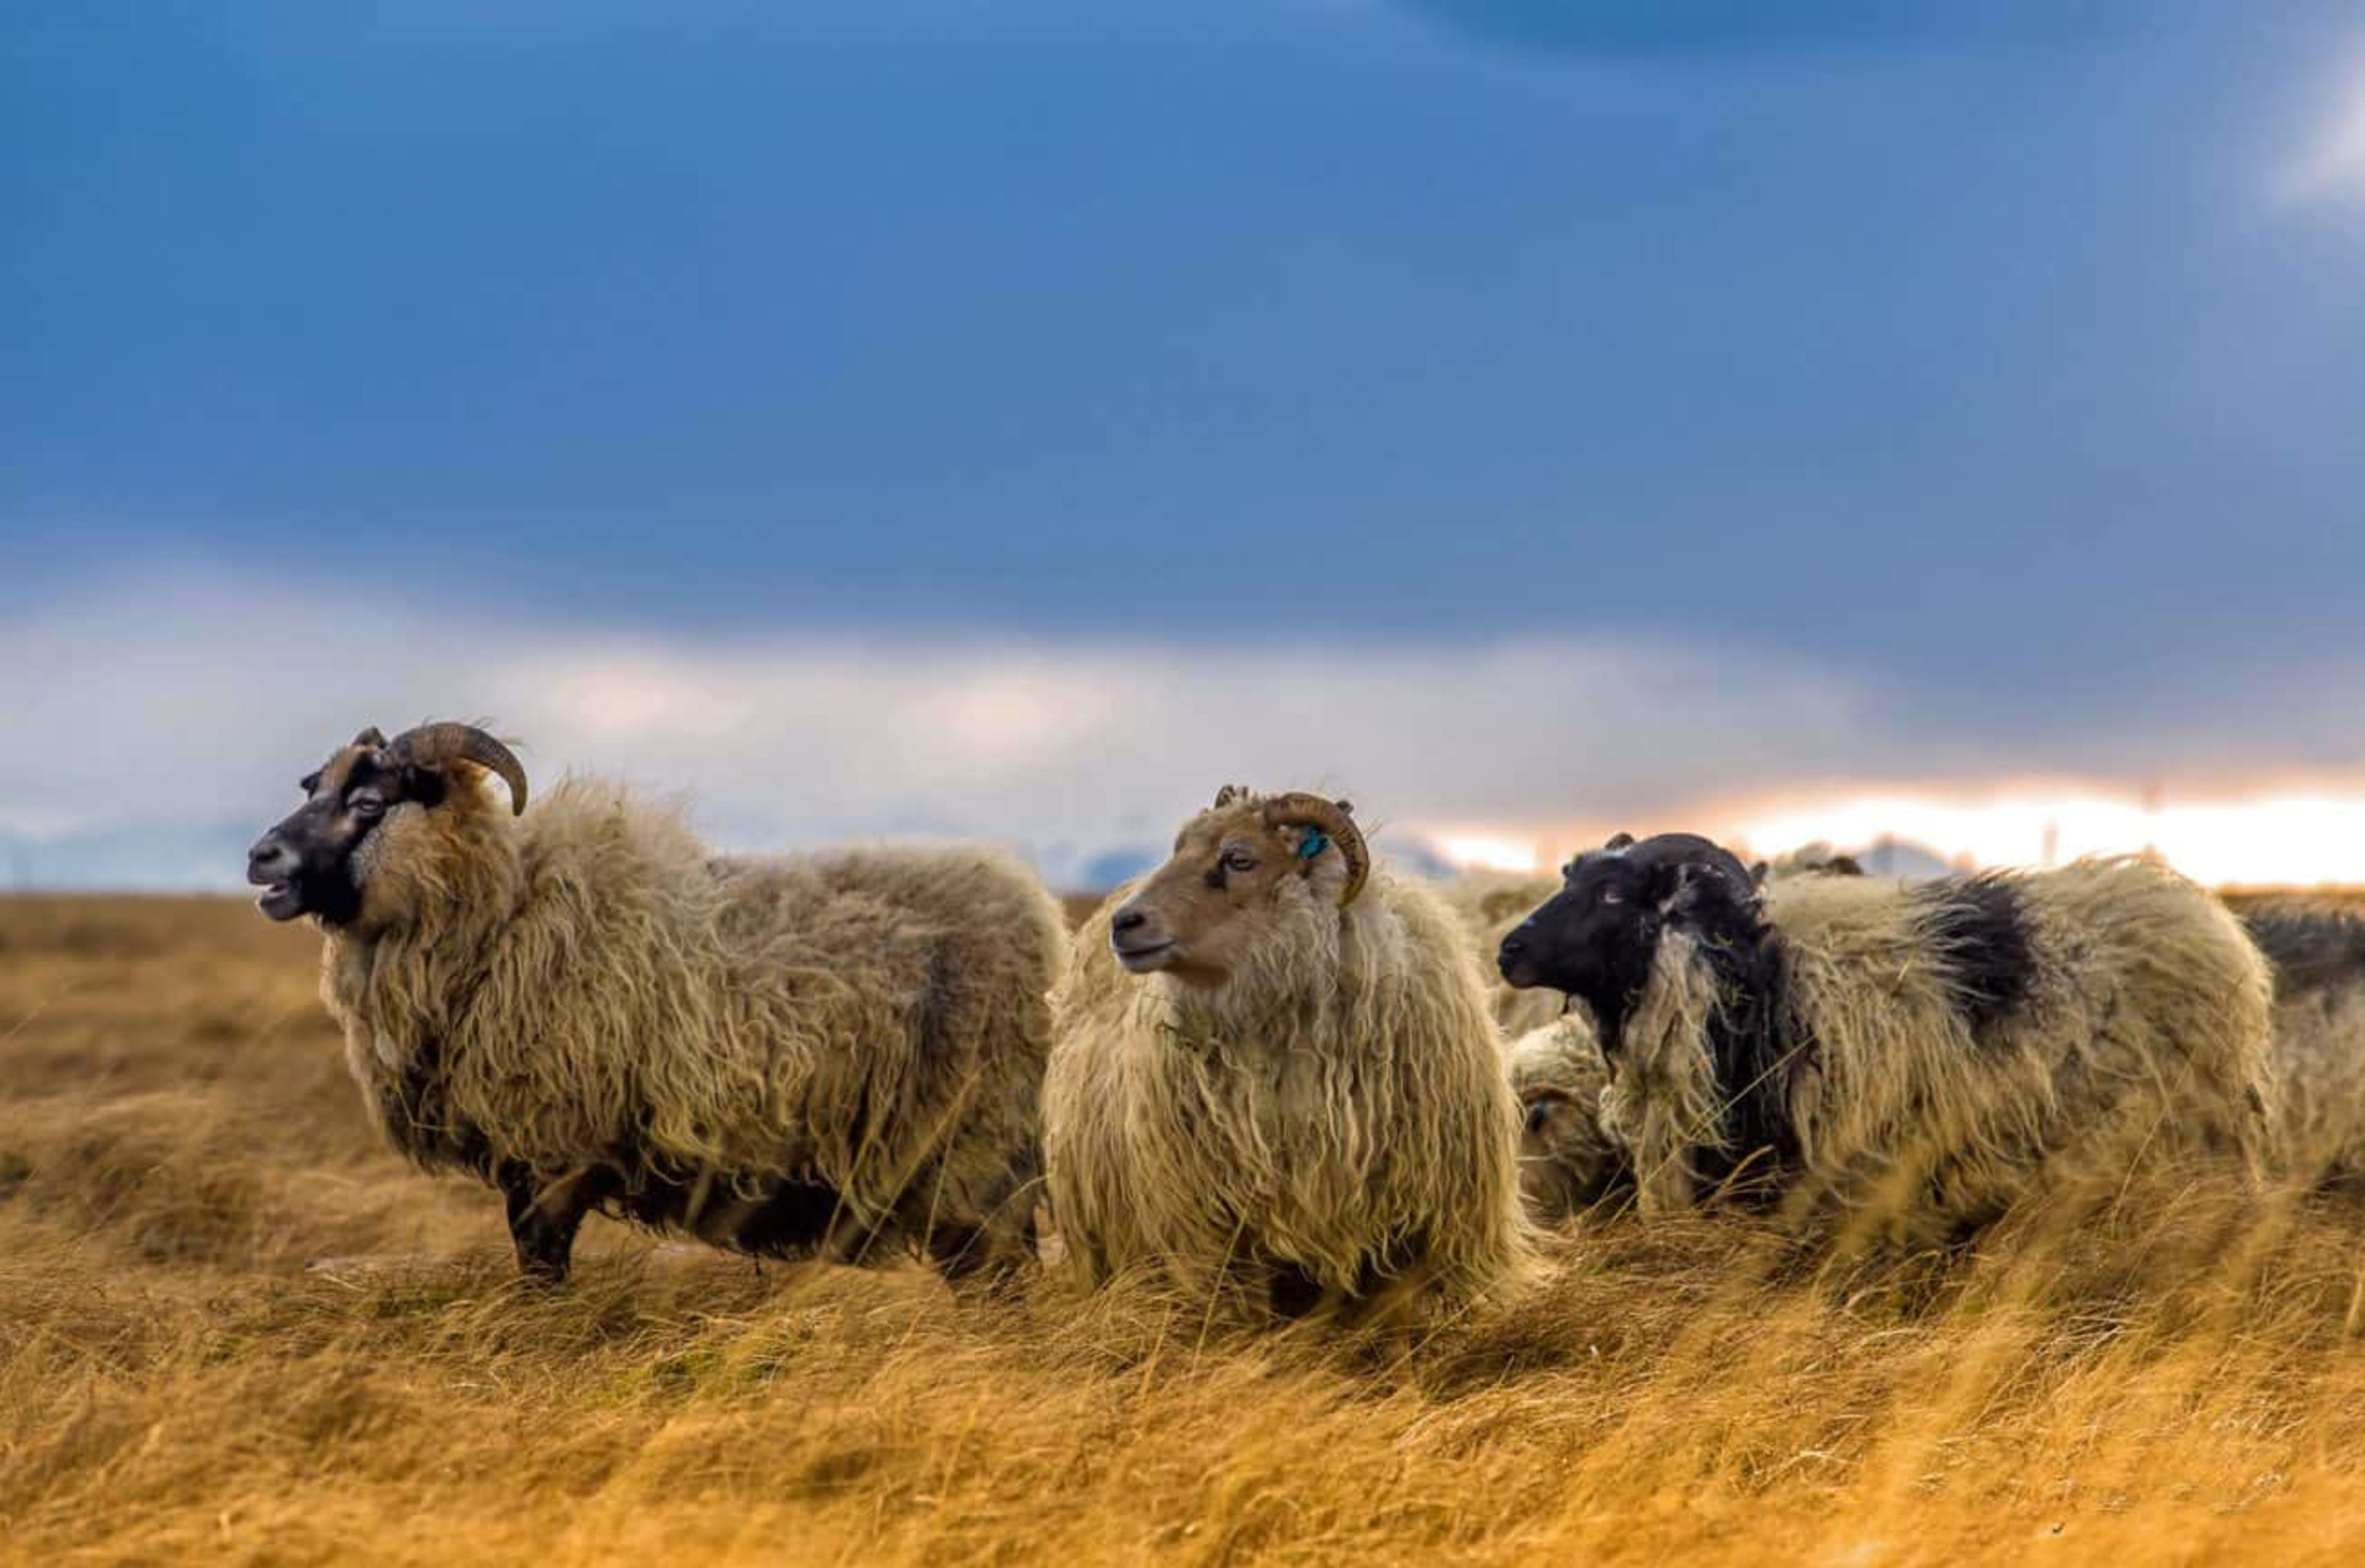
<point>2125,1016</point>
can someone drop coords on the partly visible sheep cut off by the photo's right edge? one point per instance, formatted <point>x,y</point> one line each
<point>2319,961</point>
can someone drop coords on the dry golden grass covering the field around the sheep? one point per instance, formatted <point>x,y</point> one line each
<point>233,1330</point>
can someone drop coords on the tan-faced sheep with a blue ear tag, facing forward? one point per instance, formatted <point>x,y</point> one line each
<point>1274,1077</point>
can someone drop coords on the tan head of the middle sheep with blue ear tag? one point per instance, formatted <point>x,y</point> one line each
<point>1233,869</point>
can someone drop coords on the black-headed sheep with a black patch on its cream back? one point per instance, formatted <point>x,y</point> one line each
<point>1914,1056</point>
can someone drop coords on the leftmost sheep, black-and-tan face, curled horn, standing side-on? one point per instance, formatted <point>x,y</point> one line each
<point>810,1056</point>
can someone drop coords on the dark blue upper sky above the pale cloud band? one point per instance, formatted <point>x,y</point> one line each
<point>1995,358</point>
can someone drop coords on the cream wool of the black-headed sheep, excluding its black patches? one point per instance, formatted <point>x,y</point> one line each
<point>2144,1042</point>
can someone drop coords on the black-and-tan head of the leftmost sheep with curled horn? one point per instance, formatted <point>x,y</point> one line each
<point>318,860</point>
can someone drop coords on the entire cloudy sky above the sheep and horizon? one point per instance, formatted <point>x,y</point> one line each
<point>1020,420</point>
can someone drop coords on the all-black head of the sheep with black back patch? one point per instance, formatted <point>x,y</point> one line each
<point>1600,933</point>
